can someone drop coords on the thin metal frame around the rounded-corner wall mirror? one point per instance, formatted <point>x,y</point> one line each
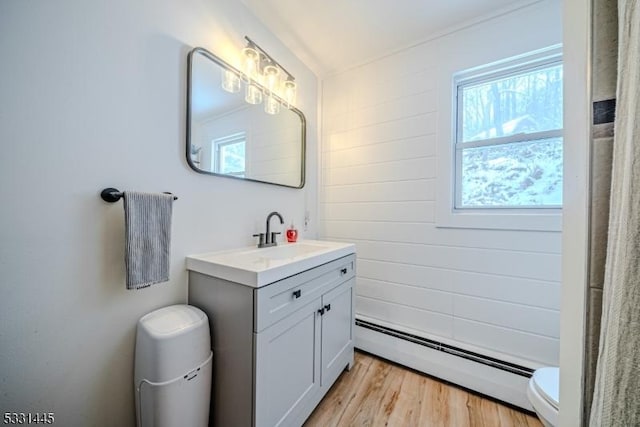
<point>223,64</point>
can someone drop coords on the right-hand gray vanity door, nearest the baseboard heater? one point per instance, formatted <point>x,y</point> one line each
<point>337,331</point>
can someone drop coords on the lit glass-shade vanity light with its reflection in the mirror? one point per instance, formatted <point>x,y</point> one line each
<point>263,78</point>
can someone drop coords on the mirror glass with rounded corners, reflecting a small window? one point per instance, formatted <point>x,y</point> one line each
<point>227,136</point>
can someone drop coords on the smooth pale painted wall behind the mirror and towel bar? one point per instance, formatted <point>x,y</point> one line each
<point>92,95</point>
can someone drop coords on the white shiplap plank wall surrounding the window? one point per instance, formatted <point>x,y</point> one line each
<point>384,126</point>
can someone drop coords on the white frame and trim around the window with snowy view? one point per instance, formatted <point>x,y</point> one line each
<point>448,215</point>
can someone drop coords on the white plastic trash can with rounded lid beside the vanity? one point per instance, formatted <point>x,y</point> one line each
<point>172,375</point>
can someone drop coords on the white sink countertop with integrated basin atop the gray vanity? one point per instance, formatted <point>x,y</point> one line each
<point>257,267</point>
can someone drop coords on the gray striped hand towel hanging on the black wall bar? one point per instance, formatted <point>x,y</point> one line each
<point>147,220</point>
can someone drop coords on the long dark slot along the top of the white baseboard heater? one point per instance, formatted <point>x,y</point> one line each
<point>449,349</point>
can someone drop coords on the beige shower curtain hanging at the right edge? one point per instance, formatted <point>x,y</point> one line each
<point>616,399</point>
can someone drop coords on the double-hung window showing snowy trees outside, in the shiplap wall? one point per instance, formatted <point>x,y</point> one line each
<point>508,135</point>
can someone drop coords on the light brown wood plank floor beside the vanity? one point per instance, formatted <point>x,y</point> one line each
<point>379,393</point>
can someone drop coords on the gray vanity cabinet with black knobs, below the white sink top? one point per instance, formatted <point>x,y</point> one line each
<point>277,348</point>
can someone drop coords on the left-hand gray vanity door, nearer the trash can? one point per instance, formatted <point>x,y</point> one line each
<point>287,366</point>
